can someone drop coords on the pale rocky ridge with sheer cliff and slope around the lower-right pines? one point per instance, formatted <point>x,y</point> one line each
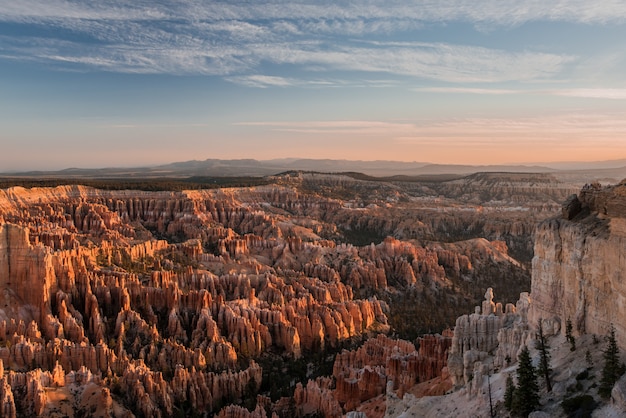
<point>577,275</point>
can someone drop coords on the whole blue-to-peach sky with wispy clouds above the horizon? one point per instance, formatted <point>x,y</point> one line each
<point>133,83</point>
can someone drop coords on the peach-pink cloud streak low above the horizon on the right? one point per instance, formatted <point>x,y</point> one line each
<point>488,140</point>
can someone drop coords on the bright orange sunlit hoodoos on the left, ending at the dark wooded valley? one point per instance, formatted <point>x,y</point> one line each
<point>89,296</point>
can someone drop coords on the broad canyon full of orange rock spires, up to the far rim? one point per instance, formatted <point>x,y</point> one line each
<point>313,294</point>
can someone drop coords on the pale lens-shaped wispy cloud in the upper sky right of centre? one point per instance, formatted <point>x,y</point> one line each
<point>435,61</point>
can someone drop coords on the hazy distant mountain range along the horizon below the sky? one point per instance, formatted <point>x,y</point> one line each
<point>259,168</point>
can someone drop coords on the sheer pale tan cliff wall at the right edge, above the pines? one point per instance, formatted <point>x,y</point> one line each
<point>579,268</point>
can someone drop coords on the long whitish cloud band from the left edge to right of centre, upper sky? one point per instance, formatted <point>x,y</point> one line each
<point>444,62</point>
